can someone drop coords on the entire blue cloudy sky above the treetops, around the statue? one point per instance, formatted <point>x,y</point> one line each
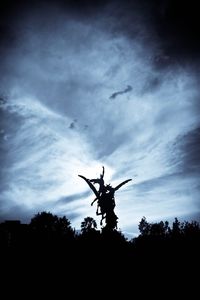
<point>86,84</point>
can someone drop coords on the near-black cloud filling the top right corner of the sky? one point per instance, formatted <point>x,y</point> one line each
<point>172,25</point>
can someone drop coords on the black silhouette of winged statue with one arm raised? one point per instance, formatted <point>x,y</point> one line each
<point>105,197</point>
